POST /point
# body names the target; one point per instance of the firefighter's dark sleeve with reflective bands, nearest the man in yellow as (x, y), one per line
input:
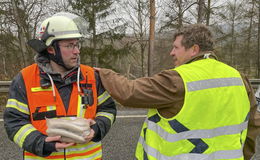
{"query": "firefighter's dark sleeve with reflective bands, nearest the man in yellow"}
(106, 112)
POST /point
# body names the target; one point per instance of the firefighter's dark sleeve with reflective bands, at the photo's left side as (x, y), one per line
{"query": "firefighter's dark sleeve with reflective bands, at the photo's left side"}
(17, 121)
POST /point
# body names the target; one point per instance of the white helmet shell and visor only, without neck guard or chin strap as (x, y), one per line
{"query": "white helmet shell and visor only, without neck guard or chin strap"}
(60, 26)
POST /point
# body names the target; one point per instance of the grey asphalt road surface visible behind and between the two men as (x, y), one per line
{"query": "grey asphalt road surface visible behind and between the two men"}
(119, 143)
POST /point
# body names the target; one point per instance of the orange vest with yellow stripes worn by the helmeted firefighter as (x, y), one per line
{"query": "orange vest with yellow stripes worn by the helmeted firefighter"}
(43, 104)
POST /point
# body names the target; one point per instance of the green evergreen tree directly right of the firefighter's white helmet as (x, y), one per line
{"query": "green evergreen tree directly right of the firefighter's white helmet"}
(105, 31)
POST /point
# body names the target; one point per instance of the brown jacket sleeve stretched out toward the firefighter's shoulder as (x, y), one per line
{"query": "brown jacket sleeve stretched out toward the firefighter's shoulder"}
(162, 90)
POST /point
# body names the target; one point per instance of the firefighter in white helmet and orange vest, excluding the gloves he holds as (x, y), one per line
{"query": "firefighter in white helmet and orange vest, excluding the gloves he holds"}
(58, 86)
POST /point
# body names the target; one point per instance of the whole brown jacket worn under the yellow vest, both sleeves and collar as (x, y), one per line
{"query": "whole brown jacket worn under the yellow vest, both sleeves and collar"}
(165, 92)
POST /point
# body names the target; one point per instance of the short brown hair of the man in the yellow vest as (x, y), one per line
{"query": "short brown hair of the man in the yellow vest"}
(196, 34)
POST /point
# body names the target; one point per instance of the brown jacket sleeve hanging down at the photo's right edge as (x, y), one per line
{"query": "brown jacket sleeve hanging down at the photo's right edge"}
(253, 123)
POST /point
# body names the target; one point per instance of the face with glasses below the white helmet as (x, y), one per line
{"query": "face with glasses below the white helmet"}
(70, 52)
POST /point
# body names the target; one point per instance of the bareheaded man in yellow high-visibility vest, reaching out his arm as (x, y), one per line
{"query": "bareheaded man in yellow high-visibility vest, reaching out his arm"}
(198, 110)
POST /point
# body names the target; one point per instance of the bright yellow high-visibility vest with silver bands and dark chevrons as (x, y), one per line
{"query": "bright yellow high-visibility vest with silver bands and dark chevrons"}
(212, 123)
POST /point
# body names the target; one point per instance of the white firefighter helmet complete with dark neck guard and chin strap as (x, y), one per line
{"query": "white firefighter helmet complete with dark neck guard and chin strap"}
(60, 26)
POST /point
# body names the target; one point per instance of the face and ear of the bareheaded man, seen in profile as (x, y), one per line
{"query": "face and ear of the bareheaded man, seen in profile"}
(179, 53)
